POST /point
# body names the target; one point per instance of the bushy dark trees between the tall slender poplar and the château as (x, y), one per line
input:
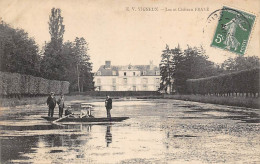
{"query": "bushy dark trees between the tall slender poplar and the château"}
(77, 66)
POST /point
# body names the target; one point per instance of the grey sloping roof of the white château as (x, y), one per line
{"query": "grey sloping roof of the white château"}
(108, 71)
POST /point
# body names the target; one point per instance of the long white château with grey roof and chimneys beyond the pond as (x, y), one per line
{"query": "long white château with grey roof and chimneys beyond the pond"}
(127, 78)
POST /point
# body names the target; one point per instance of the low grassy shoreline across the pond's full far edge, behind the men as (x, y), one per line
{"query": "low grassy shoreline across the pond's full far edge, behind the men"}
(248, 102)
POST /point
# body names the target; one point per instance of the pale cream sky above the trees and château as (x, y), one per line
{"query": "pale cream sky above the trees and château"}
(120, 31)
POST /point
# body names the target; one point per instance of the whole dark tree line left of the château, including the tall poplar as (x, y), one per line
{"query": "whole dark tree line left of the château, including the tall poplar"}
(58, 60)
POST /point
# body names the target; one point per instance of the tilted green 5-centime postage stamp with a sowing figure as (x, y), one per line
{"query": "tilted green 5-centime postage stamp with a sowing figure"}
(233, 30)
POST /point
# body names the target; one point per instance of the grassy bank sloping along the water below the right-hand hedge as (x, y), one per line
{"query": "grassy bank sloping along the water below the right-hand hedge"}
(231, 101)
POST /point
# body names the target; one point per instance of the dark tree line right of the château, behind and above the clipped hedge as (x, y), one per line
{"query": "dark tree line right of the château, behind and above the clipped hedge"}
(177, 66)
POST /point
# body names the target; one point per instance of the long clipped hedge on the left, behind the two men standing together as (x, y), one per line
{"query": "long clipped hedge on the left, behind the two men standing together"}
(21, 84)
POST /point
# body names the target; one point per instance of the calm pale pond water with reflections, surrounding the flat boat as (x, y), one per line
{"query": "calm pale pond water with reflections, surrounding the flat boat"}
(158, 131)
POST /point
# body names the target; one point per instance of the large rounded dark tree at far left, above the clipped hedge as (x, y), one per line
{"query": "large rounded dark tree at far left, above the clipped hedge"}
(18, 52)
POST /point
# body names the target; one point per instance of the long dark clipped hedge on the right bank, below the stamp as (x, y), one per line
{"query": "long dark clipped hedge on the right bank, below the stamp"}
(246, 82)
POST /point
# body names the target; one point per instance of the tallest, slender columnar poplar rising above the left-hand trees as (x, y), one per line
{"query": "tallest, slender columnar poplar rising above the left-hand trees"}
(51, 65)
